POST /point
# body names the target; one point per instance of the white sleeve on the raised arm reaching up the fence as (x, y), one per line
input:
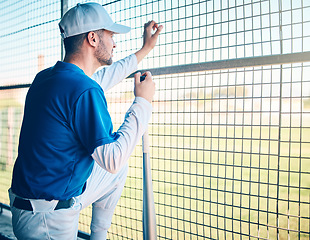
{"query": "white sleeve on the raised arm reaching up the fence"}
(110, 76)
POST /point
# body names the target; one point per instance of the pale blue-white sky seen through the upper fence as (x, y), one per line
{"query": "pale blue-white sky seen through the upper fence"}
(194, 31)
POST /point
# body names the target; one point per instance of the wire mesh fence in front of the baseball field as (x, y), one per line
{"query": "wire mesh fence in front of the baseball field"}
(230, 145)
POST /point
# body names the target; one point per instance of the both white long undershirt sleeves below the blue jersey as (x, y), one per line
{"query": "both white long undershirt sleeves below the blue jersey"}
(112, 157)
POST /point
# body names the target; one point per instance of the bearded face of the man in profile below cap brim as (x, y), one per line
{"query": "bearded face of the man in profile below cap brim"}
(104, 51)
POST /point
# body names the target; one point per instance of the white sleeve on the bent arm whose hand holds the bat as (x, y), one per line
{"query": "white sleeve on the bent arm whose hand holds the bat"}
(112, 157)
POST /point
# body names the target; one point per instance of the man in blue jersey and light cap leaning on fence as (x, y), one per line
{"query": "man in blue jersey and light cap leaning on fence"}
(68, 155)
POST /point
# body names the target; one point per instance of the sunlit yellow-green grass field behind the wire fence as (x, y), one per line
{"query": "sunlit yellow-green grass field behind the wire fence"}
(216, 182)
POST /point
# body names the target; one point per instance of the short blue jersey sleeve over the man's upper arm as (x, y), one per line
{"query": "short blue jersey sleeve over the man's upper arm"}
(91, 120)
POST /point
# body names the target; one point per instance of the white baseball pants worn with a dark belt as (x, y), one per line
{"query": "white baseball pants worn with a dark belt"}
(103, 191)
